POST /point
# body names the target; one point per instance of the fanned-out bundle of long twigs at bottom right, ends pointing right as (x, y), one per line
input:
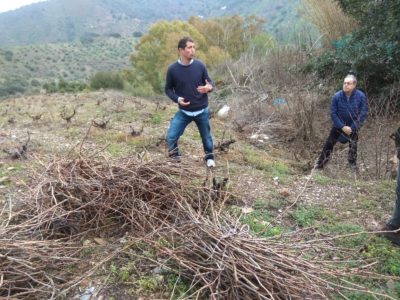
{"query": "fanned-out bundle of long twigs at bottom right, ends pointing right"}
(224, 261)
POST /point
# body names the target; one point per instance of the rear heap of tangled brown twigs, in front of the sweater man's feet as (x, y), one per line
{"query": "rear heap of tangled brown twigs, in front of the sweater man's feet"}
(86, 194)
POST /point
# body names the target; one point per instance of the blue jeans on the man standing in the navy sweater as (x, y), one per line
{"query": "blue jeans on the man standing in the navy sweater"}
(178, 125)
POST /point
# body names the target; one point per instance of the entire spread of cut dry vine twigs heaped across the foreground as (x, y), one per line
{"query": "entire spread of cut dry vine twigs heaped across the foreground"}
(156, 201)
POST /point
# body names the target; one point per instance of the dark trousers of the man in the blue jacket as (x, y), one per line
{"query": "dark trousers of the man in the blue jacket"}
(332, 140)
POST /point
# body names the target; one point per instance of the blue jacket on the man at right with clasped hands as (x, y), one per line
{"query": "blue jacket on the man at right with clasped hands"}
(351, 112)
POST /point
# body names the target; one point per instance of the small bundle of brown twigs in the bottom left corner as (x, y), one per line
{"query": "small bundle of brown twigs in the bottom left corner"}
(33, 269)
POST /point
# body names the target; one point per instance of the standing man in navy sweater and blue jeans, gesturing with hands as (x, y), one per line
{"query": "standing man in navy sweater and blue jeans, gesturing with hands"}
(188, 83)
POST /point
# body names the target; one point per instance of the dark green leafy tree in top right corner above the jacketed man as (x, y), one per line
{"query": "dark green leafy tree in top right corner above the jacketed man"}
(371, 51)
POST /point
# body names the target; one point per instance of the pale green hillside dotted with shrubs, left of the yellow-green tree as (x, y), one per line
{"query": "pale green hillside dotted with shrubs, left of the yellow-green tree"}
(27, 68)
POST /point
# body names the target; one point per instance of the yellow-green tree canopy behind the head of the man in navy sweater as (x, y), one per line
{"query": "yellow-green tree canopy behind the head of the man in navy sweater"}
(216, 40)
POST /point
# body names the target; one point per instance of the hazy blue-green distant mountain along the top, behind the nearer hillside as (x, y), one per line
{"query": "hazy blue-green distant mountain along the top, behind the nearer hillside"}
(56, 21)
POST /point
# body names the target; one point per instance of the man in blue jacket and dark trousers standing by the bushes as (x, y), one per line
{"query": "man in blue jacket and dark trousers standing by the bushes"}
(348, 112)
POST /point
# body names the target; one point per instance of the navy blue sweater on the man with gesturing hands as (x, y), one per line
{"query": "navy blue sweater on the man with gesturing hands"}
(183, 80)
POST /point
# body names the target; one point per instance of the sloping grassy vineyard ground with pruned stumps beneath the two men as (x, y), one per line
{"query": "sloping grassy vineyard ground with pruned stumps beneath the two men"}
(313, 217)
